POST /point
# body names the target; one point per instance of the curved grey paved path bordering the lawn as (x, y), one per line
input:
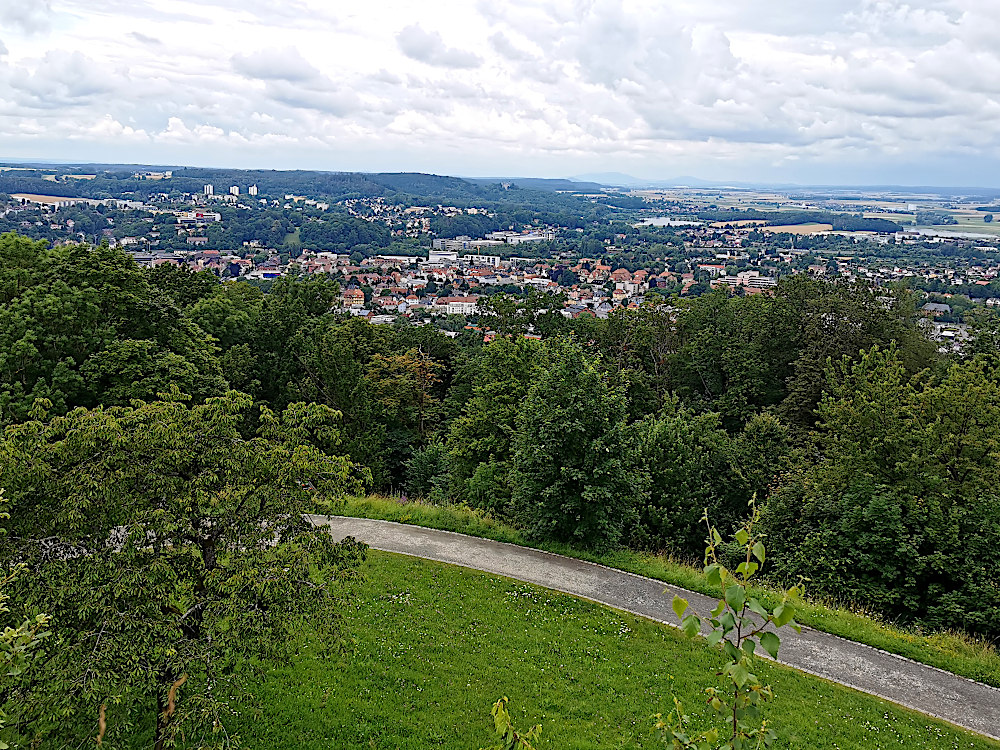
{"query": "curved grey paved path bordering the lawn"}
(926, 689)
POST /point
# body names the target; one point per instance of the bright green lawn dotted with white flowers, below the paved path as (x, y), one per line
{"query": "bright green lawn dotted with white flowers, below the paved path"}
(436, 645)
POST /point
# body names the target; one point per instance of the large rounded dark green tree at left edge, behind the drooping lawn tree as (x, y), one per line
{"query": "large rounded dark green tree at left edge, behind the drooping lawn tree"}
(82, 326)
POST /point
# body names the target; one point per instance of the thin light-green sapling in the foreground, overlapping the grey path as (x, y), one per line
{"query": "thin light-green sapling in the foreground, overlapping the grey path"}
(740, 623)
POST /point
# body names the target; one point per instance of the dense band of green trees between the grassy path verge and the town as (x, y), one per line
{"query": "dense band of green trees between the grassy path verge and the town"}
(872, 456)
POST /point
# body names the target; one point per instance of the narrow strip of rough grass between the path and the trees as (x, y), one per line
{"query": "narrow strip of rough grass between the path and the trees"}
(953, 652)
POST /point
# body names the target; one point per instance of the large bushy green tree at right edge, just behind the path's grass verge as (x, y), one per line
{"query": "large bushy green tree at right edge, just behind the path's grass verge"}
(902, 511)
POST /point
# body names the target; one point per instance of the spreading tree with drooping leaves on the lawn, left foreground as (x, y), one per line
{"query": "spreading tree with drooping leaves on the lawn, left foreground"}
(167, 541)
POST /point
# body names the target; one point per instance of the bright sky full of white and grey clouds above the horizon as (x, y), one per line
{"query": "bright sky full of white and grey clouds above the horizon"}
(838, 91)
